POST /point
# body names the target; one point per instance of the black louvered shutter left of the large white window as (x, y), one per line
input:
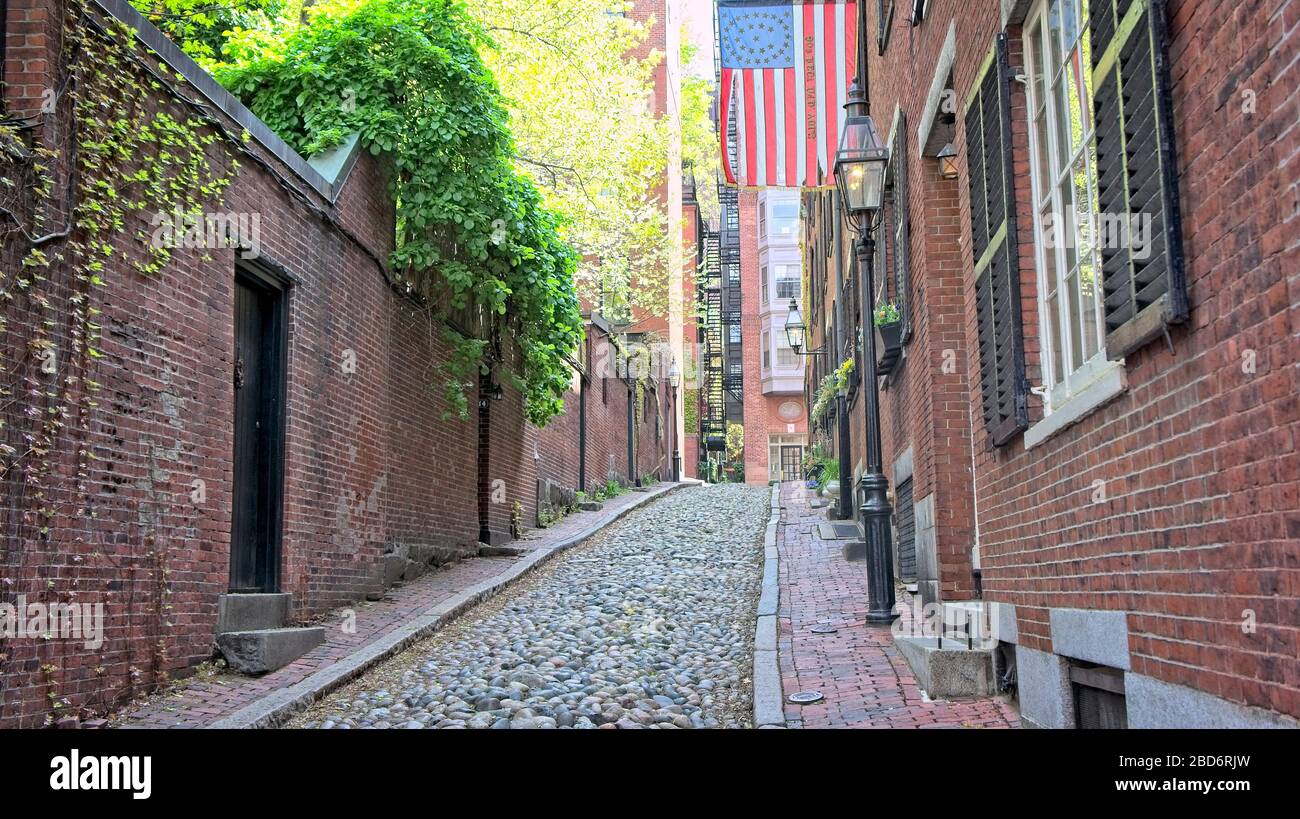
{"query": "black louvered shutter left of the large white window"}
(998, 281)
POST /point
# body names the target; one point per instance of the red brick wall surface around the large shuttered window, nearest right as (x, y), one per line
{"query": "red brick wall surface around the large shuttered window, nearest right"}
(1198, 460)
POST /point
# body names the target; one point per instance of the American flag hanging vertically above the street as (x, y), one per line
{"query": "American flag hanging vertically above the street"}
(786, 72)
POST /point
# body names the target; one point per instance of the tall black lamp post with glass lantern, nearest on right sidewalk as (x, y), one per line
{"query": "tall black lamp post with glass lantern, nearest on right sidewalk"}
(860, 172)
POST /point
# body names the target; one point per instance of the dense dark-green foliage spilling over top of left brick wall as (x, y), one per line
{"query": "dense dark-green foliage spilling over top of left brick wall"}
(474, 235)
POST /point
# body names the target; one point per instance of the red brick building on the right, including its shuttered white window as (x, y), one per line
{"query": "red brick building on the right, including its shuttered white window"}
(1097, 430)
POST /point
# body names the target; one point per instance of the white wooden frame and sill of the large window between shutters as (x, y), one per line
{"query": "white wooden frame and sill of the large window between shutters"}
(1077, 375)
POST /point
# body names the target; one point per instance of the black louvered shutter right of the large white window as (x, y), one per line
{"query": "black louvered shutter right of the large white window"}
(1143, 279)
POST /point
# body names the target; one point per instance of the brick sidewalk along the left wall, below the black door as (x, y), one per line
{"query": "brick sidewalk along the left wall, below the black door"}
(197, 704)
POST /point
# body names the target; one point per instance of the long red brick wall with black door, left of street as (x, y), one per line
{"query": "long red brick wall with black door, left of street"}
(367, 458)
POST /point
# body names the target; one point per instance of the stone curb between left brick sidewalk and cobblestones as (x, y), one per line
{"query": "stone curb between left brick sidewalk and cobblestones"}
(281, 705)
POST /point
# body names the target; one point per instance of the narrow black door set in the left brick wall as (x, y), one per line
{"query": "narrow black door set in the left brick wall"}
(259, 384)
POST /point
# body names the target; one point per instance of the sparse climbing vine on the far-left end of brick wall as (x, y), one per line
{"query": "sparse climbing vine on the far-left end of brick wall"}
(73, 215)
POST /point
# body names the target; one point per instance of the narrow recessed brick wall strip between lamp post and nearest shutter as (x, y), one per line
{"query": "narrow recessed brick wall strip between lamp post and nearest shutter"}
(925, 402)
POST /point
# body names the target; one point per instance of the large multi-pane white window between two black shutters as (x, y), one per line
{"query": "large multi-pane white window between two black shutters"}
(1064, 171)
